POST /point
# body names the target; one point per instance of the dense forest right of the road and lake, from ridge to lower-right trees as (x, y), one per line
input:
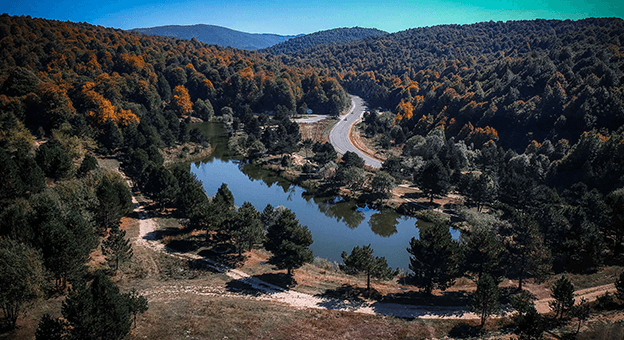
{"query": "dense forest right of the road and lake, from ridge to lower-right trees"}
(524, 117)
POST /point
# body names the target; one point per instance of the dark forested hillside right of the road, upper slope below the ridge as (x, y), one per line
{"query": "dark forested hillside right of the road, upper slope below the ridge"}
(520, 80)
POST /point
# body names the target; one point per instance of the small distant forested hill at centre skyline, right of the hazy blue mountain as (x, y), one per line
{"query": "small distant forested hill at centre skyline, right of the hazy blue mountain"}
(333, 36)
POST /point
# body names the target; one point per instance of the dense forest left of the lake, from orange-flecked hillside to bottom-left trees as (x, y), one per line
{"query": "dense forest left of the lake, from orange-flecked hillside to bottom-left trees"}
(72, 91)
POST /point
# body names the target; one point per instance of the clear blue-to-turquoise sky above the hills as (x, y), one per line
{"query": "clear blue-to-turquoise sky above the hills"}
(306, 16)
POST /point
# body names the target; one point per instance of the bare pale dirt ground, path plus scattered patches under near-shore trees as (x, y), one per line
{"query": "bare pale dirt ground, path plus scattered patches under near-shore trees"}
(265, 291)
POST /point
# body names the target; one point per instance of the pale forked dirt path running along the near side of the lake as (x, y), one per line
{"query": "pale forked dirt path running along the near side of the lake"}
(270, 292)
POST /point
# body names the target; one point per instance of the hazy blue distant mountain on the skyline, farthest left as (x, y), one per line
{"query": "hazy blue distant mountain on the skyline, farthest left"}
(217, 35)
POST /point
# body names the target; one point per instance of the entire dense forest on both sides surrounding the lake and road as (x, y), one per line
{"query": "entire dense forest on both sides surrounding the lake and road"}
(523, 119)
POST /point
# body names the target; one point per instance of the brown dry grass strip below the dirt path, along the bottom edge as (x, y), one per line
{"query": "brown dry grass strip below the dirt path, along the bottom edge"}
(190, 316)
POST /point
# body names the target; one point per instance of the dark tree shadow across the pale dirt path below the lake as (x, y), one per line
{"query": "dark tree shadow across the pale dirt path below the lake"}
(270, 283)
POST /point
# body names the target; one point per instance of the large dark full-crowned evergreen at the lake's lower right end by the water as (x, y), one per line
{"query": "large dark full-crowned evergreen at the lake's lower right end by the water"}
(435, 258)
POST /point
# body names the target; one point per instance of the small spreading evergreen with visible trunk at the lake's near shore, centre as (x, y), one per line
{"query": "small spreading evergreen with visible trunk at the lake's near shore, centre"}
(361, 260)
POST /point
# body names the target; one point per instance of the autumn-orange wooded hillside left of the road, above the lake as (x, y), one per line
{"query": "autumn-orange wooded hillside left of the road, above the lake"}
(120, 89)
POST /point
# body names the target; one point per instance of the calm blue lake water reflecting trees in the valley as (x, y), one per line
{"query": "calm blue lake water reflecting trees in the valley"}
(336, 225)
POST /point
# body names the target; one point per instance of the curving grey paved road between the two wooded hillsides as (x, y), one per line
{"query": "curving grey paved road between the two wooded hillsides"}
(339, 135)
